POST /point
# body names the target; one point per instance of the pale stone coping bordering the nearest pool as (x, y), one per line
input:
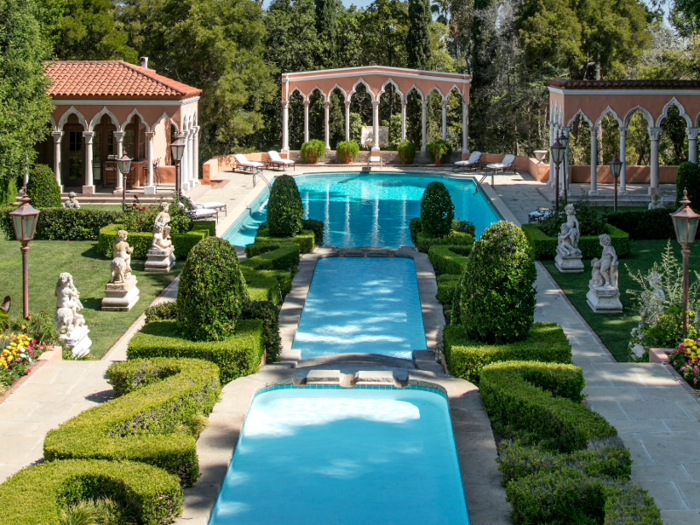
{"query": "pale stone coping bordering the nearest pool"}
(474, 441)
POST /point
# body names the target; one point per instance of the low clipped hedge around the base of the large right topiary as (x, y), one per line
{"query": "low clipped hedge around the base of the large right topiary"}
(546, 342)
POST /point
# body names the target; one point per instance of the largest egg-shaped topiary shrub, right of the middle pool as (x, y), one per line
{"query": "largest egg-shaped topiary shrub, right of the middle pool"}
(497, 297)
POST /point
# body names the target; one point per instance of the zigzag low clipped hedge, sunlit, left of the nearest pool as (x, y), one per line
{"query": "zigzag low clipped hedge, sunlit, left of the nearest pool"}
(161, 396)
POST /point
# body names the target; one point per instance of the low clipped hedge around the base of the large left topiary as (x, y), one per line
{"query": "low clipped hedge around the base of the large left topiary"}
(237, 356)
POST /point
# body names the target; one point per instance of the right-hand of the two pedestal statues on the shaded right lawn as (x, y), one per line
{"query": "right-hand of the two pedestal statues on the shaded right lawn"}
(603, 292)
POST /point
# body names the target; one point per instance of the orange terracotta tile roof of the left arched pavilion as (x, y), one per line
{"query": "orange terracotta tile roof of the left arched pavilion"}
(111, 79)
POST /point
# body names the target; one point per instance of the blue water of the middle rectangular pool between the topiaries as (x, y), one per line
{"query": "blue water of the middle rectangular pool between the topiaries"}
(362, 305)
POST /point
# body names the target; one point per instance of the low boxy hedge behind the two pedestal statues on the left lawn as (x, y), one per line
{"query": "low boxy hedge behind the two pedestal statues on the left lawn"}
(142, 241)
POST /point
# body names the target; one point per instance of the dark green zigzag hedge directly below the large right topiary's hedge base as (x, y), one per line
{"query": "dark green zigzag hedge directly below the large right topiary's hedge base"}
(543, 399)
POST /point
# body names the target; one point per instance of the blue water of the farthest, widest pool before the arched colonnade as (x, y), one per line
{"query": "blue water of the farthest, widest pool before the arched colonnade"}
(363, 209)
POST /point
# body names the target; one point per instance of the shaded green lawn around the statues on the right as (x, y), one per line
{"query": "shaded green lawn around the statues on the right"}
(614, 329)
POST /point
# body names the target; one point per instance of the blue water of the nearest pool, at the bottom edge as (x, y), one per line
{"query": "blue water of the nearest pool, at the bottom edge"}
(344, 456)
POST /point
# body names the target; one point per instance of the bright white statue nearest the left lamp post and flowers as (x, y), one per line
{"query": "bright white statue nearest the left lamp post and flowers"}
(71, 324)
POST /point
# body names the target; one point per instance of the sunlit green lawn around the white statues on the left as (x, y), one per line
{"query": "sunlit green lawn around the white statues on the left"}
(90, 273)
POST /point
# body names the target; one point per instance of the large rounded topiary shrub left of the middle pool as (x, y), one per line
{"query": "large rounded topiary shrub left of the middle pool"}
(211, 291)
